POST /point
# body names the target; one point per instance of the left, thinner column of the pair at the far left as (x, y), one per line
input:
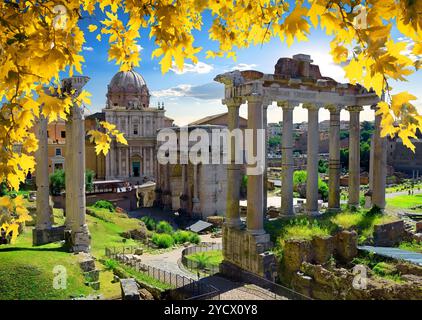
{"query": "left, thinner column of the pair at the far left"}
(44, 219)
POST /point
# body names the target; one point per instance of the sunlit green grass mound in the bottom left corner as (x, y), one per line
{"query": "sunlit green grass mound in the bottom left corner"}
(26, 272)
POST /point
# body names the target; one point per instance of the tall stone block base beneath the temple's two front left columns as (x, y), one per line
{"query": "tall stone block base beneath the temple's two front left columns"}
(243, 251)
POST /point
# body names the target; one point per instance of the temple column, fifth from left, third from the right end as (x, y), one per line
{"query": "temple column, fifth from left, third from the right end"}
(334, 166)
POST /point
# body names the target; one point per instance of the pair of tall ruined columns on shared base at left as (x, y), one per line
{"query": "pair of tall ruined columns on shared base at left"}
(75, 230)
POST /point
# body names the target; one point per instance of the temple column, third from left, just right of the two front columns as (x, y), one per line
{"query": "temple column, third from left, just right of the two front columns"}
(287, 163)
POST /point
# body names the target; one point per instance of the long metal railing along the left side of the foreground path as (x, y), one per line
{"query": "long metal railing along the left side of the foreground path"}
(187, 287)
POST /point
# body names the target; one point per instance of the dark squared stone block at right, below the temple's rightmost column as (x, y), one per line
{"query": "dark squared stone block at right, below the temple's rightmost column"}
(389, 234)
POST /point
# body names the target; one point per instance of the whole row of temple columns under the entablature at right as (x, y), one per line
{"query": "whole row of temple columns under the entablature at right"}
(256, 198)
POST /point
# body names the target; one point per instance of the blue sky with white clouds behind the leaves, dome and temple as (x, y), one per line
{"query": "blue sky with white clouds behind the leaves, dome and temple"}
(193, 94)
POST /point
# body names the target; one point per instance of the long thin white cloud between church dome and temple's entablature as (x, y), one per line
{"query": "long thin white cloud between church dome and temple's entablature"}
(208, 91)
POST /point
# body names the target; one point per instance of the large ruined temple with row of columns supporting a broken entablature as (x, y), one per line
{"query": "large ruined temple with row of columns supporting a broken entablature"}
(295, 81)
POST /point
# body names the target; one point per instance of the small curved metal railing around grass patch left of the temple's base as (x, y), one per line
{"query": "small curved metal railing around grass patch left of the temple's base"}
(201, 267)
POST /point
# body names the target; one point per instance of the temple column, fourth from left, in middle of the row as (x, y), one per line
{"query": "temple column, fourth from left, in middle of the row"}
(312, 159)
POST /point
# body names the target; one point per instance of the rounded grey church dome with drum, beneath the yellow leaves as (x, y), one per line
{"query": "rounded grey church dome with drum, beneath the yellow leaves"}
(128, 89)
